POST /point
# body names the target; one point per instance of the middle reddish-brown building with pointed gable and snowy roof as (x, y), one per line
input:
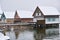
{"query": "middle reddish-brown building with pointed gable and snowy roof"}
(23, 16)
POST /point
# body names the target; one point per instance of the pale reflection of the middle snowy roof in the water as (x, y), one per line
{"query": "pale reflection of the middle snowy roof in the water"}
(26, 35)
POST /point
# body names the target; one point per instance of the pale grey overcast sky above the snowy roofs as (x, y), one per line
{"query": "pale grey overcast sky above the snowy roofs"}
(12, 5)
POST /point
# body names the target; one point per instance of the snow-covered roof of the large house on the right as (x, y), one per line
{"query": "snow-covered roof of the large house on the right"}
(46, 10)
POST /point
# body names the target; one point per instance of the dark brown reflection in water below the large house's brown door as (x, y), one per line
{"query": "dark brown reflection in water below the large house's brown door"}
(39, 34)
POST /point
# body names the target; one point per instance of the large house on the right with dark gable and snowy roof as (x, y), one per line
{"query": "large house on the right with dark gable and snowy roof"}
(49, 14)
